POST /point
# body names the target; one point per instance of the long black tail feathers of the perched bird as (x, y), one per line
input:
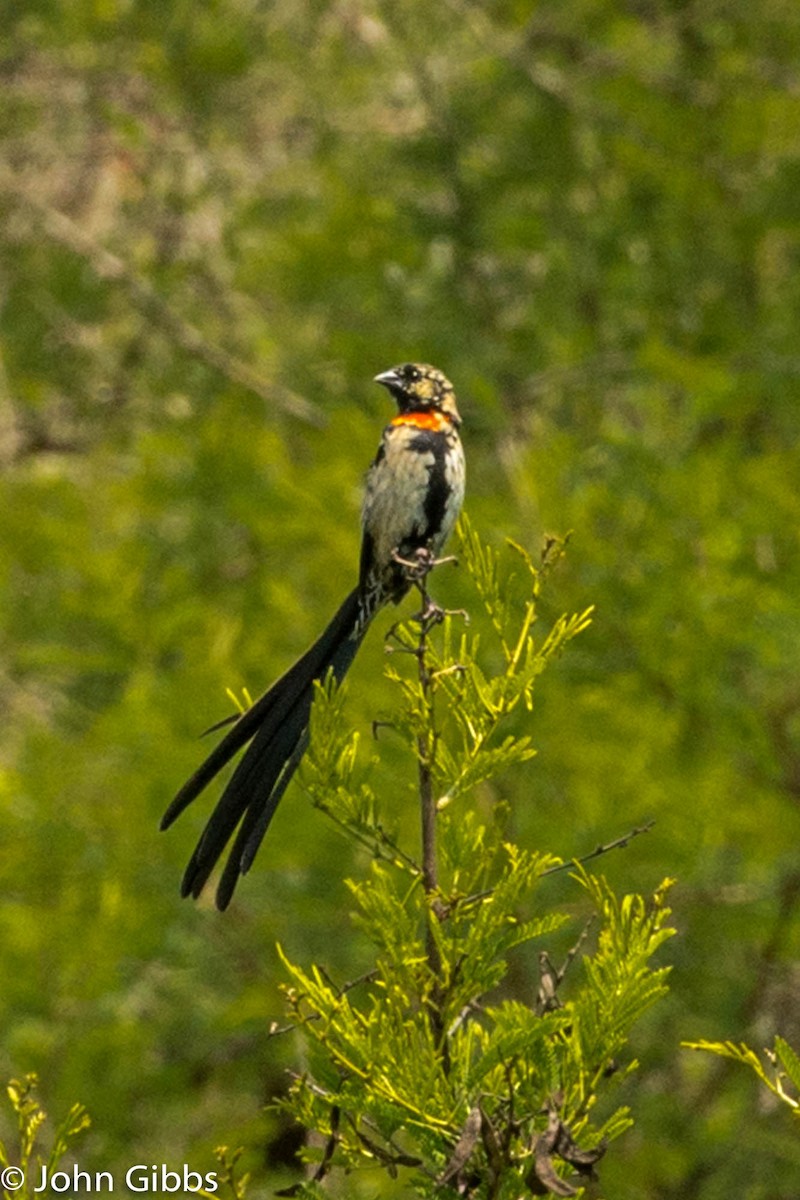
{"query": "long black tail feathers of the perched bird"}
(278, 729)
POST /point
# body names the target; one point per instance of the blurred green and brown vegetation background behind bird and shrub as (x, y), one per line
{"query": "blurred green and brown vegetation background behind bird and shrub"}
(218, 223)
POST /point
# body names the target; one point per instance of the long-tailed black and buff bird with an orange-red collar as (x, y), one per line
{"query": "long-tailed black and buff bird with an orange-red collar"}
(413, 496)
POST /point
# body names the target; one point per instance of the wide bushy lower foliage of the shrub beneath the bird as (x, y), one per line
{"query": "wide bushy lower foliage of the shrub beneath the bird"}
(393, 1093)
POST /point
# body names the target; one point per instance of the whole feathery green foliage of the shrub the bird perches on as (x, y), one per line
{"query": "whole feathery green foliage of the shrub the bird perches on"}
(423, 1064)
